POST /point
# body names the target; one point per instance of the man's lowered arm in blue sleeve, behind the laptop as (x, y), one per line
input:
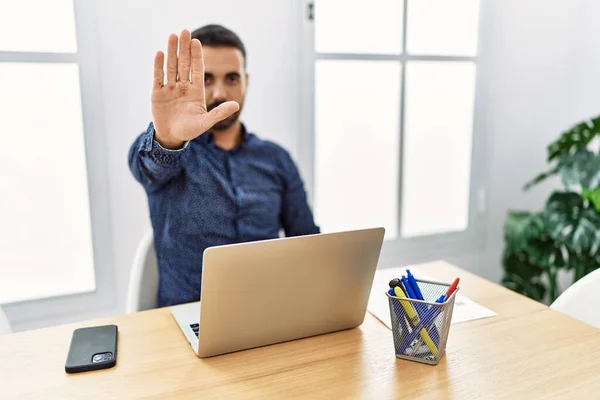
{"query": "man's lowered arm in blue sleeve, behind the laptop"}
(297, 218)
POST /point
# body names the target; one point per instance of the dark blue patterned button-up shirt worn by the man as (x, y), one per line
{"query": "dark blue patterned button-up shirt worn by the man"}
(203, 196)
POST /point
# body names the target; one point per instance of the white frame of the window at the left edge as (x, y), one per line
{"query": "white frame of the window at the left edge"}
(96, 155)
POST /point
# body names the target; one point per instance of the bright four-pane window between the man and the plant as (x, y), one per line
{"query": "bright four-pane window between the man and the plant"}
(390, 105)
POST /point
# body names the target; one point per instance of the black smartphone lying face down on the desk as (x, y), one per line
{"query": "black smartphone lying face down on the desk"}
(92, 348)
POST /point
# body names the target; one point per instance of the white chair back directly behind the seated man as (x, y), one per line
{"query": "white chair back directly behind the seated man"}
(142, 291)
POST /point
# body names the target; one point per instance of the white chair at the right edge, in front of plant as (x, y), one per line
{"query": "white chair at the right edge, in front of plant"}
(580, 300)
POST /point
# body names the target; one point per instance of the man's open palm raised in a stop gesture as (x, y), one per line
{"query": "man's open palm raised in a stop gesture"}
(179, 104)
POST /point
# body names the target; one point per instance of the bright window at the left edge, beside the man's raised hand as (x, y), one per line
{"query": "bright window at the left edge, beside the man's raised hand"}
(46, 220)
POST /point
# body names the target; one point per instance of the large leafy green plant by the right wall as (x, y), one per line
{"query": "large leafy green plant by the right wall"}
(565, 234)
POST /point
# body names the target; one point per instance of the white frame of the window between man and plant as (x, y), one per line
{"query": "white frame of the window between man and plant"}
(402, 250)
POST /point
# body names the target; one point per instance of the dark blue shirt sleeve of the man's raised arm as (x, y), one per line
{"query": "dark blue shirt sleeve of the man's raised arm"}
(151, 164)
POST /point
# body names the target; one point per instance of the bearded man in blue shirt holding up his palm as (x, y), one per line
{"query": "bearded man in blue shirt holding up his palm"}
(209, 181)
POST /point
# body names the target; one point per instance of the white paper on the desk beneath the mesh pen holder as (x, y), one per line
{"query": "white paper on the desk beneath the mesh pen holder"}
(465, 309)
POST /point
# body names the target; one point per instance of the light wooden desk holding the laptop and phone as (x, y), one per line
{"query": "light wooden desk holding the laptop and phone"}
(528, 351)
